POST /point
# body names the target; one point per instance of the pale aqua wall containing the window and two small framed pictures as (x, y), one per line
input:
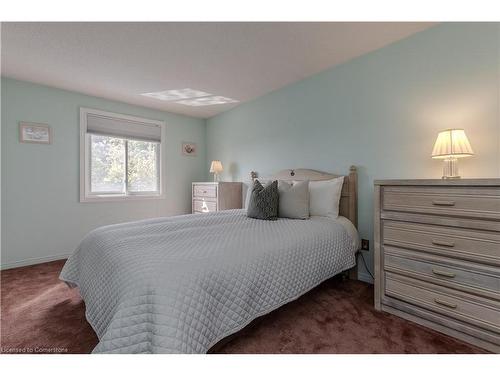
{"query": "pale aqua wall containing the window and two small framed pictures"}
(41, 214)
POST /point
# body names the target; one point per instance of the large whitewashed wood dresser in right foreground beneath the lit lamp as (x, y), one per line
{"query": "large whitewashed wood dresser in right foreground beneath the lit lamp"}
(437, 255)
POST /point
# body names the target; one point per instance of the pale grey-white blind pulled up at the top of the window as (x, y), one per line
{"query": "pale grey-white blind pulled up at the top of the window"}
(123, 128)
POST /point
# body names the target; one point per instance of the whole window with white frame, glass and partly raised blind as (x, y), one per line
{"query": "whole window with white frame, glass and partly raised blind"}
(120, 156)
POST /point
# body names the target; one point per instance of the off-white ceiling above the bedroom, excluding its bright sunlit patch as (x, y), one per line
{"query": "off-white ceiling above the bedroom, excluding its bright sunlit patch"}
(120, 61)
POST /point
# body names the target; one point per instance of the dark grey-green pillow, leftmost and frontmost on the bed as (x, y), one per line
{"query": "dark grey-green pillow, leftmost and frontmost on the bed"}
(263, 202)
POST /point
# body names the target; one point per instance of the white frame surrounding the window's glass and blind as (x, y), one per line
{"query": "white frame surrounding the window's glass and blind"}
(86, 195)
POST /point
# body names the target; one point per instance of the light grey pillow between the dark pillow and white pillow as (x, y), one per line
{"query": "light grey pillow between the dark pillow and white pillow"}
(294, 199)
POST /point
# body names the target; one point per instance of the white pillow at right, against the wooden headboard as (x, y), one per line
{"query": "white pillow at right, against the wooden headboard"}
(324, 197)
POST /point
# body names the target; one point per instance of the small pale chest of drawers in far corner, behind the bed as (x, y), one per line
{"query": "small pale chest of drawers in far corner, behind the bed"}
(215, 196)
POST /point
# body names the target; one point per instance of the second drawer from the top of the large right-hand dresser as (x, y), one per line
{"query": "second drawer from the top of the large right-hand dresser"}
(479, 246)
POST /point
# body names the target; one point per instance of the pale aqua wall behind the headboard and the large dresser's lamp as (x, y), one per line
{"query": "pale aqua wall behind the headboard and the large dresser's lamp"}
(380, 112)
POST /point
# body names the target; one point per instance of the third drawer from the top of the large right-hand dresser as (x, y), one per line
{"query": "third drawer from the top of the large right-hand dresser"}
(465, 276)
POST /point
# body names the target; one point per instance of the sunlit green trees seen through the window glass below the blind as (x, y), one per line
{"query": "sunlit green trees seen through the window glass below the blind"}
(121, 166)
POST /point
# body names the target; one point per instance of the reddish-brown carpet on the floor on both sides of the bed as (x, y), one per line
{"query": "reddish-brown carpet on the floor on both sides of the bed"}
(40, 312)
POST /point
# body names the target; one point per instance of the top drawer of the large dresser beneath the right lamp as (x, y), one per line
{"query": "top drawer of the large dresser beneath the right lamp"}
(481, 202)
